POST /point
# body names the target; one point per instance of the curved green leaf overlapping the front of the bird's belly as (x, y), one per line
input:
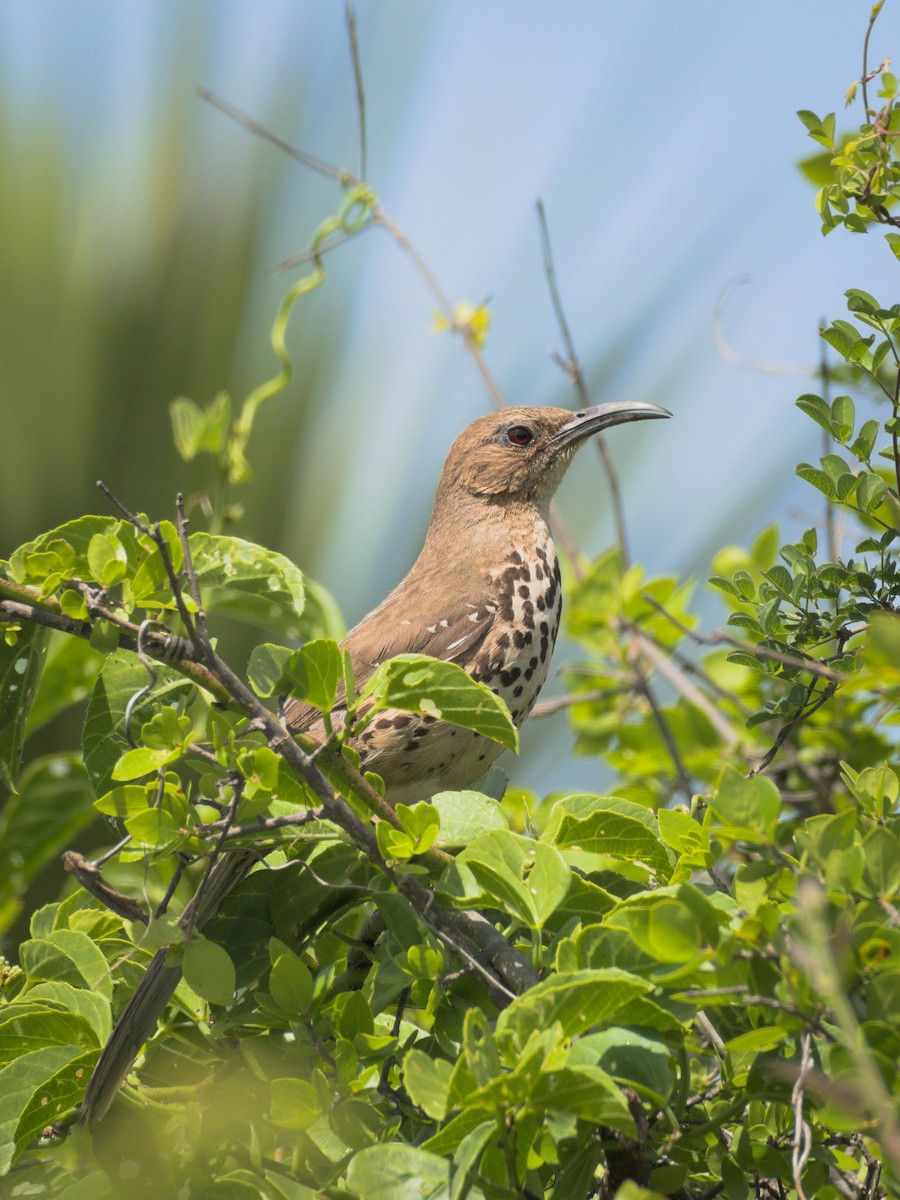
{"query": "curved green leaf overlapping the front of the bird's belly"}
(417, 683)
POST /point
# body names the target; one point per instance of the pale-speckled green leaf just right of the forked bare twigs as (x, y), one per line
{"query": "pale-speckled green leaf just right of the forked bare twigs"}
(249, 583)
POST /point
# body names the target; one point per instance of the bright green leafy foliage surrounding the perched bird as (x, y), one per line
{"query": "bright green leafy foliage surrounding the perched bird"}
(689, 986)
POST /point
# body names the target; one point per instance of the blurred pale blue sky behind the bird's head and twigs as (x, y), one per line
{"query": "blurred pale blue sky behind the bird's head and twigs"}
(662, 137)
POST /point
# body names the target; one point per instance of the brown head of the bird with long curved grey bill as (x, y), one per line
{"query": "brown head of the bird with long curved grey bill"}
(521, 454)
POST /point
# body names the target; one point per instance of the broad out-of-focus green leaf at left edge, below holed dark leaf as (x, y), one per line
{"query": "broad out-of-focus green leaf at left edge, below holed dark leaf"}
(52, 807)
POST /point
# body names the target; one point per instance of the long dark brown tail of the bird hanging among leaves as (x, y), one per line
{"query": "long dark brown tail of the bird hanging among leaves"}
(153, 994)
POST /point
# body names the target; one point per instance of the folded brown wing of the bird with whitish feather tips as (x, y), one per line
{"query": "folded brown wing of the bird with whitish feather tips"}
(388, 632)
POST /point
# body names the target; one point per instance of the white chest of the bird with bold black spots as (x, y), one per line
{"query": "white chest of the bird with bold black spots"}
(515, 657)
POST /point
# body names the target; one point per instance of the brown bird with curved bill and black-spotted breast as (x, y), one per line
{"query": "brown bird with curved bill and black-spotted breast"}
(485, 593)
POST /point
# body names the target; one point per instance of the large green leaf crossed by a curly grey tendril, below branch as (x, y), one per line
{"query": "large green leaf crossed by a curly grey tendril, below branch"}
(104, 740)
